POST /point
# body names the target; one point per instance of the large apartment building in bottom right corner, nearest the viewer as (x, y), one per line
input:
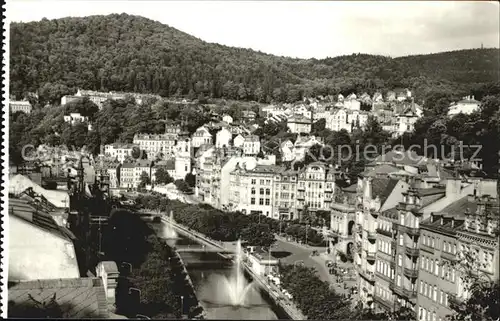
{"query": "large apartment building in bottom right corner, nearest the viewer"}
(457, 245)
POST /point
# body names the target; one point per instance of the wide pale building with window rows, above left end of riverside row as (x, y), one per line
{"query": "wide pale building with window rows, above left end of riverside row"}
(156, 144)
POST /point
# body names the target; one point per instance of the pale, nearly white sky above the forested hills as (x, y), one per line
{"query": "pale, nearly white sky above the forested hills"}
(312, 29)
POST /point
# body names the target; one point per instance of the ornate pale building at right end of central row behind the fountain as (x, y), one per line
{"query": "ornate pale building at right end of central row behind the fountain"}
(315, 187)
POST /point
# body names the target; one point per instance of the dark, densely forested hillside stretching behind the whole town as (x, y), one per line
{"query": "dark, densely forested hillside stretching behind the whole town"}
(131, 53)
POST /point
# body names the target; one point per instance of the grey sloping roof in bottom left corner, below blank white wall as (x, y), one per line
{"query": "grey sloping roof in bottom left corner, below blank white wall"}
(78, 298)
